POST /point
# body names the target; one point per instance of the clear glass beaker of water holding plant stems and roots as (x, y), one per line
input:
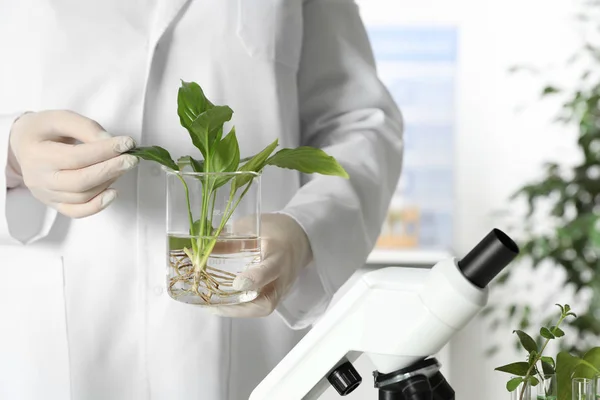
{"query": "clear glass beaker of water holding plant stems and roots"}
(213, 234)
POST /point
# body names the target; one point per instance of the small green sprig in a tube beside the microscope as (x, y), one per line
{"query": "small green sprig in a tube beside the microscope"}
(528, 371)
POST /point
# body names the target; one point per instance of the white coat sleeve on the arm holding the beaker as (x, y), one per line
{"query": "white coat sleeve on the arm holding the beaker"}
(346, 111)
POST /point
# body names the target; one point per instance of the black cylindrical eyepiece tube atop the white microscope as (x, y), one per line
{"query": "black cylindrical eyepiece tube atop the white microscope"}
(488, 258)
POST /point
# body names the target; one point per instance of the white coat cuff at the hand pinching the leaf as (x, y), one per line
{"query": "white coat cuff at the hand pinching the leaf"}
(23, 219)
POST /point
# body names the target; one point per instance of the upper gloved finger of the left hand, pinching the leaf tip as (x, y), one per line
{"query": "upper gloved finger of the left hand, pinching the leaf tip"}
(77, 156)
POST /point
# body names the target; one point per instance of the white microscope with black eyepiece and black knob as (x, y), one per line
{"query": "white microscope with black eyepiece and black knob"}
(398, 317)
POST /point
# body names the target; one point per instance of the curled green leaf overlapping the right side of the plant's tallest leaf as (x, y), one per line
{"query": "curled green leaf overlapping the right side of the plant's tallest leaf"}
(205, 129)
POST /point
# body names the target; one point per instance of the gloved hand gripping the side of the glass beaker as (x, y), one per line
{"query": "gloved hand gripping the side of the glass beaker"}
(286, 251)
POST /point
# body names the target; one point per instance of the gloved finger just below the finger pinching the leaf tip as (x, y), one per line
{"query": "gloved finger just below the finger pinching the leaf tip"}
(84, 179)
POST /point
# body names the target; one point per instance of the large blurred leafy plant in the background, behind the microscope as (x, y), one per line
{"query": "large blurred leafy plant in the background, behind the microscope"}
(566, 198)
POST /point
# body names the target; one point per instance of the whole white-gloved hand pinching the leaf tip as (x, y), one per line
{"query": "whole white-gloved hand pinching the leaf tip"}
(72, 177)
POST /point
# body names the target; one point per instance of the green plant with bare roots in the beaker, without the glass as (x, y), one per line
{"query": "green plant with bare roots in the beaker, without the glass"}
(205, 122)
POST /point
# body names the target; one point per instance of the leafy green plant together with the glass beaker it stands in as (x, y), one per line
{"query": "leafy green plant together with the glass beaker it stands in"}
(213, 201)
